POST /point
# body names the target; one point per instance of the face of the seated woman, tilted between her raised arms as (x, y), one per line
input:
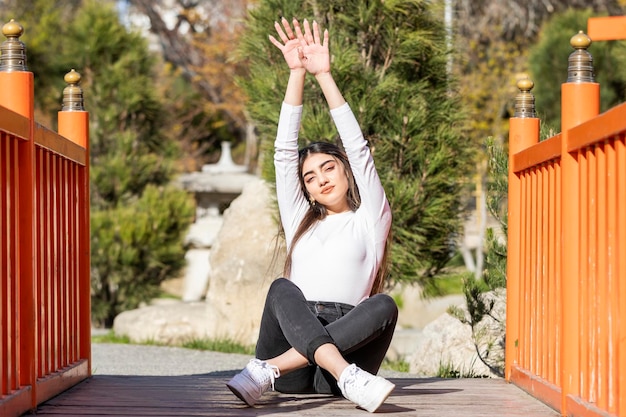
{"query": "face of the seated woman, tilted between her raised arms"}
(326, 181)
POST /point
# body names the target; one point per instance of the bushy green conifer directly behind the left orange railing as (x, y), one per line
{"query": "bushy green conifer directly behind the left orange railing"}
(137, 217)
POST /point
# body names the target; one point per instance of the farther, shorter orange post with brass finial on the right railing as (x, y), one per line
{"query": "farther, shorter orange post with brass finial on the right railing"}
(523, 133)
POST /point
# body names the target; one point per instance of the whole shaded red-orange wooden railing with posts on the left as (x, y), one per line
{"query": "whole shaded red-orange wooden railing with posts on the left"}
(44, 239)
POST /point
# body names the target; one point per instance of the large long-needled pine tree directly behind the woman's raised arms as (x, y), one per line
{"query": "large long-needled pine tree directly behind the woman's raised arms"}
(389, 59)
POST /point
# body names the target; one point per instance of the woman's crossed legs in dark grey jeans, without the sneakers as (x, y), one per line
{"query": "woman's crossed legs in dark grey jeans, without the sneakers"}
(294, 340)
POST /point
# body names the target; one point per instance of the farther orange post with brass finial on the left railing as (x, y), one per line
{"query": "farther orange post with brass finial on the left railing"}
(74, 125)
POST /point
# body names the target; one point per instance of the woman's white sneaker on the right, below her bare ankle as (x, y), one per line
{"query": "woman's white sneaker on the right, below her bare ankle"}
(364, 389)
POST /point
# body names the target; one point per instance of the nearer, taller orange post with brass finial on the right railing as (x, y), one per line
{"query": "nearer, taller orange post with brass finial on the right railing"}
(580, 101)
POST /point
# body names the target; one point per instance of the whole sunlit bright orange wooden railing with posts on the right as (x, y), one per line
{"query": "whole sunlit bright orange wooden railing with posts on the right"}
(566, 272)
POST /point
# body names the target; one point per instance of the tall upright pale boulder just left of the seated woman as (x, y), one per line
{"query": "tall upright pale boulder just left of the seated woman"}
(245, 261)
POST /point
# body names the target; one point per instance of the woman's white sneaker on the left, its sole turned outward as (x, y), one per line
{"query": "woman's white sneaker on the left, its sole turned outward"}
(256, 378)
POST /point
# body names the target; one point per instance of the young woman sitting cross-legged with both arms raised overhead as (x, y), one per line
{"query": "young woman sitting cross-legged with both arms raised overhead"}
(325, 327)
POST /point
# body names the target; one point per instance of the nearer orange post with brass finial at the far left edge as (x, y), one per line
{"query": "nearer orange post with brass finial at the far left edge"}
(17, 94)
